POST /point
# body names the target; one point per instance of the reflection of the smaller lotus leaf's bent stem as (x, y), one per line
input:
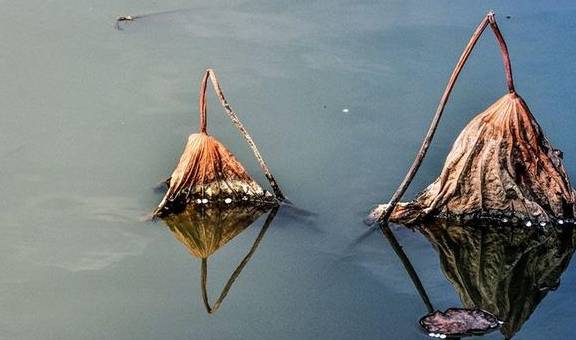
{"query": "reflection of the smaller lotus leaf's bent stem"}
(204, 271)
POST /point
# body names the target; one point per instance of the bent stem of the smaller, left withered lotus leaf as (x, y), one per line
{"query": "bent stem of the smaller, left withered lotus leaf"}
(234, 118)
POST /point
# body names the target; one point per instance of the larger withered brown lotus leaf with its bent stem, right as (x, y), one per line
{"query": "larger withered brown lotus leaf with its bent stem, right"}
(501, 166)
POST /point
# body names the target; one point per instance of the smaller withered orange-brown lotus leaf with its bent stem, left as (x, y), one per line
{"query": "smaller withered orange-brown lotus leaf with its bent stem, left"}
(208, 173)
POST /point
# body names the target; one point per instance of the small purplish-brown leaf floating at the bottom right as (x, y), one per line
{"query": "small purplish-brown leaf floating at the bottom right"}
(459, 322)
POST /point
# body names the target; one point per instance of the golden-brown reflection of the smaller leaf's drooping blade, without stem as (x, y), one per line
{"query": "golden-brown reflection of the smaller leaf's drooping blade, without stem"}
(204, 230)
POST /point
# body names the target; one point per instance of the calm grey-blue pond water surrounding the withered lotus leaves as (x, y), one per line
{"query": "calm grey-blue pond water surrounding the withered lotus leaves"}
(92, 118)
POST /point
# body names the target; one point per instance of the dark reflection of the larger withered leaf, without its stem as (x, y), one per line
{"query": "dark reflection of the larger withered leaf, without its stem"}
(505, 271)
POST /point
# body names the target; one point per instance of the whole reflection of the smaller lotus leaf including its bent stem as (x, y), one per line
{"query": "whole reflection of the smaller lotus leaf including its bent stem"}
(205, 230)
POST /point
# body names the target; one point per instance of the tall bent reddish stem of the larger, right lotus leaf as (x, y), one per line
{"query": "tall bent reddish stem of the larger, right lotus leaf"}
(489, 19)
